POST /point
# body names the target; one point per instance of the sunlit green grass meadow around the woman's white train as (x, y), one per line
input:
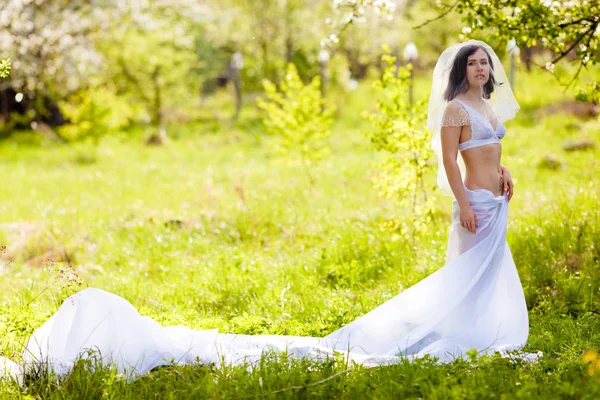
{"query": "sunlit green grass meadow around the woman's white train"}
(215, 231)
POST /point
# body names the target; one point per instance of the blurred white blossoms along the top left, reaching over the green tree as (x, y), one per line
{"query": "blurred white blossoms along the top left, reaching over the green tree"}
(54, 42)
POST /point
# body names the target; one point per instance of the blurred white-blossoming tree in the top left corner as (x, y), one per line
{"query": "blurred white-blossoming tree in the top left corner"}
(51, 47)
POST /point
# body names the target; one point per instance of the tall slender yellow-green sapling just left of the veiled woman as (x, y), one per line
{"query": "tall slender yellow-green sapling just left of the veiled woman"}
(400, 132)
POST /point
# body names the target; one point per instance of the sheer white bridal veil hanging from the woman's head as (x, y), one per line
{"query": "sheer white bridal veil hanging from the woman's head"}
(502, 100)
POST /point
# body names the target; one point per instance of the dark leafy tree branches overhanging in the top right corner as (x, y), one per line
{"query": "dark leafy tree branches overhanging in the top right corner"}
(564, 27)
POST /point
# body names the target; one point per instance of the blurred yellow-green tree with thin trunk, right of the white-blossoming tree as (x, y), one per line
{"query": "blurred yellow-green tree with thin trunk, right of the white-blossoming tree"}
(150, 55)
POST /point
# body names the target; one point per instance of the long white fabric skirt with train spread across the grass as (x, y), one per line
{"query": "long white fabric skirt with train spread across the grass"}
(474, 301)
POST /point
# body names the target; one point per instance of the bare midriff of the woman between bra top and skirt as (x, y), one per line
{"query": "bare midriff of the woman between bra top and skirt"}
(483, 167)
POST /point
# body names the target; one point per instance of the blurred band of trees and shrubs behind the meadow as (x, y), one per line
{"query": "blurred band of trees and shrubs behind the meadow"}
(85, 69)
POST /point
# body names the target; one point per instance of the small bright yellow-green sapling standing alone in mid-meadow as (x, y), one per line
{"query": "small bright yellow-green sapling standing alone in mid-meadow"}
(298, 116)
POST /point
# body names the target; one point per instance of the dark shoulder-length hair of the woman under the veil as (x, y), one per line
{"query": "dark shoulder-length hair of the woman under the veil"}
(458, 83)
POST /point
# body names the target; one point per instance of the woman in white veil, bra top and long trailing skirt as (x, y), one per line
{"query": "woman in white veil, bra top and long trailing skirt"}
(474, 301)
